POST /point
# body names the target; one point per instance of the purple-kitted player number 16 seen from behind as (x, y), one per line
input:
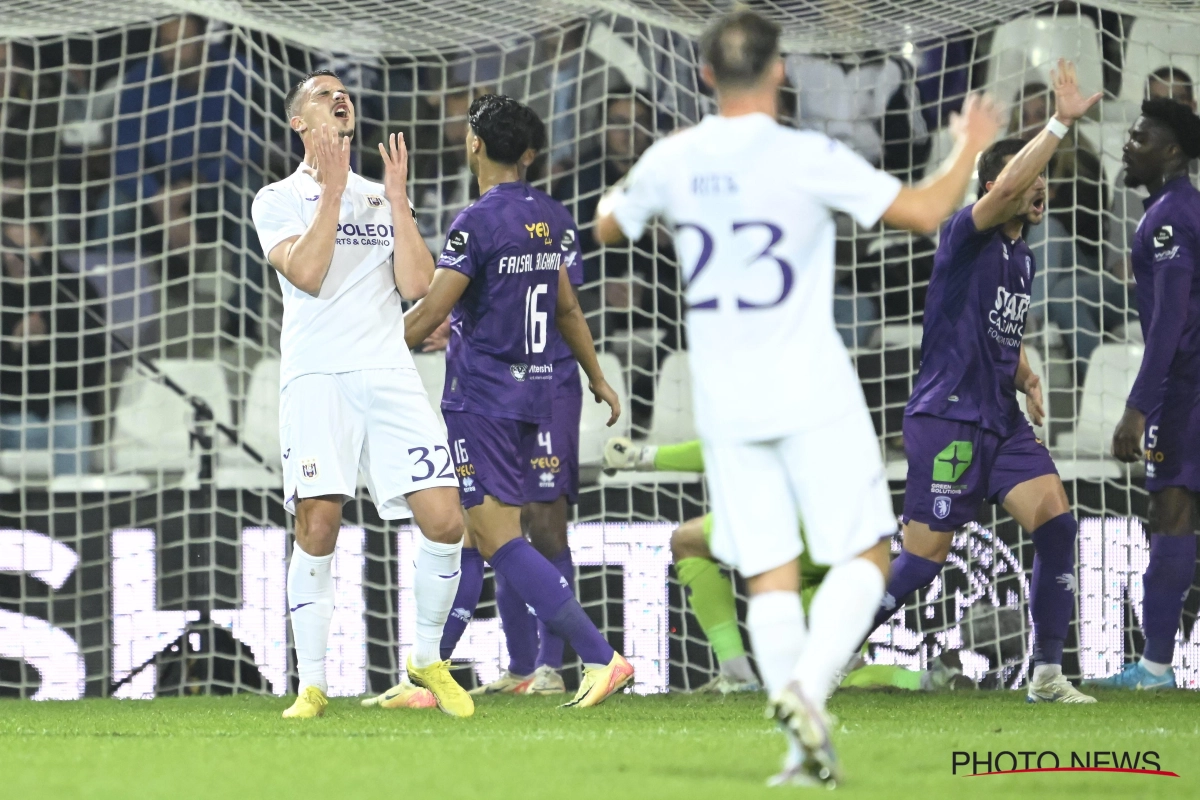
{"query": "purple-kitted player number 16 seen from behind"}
(501, 274)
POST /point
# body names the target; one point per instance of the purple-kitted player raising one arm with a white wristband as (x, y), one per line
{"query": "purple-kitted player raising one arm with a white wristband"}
(965, 437)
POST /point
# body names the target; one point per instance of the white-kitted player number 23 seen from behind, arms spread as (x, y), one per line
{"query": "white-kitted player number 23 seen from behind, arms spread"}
(782, 416)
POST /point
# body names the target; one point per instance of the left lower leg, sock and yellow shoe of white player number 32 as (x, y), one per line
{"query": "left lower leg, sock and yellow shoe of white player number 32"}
(311, 599)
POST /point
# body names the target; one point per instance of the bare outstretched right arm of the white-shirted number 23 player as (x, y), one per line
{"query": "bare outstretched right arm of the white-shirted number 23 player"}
(926, 207)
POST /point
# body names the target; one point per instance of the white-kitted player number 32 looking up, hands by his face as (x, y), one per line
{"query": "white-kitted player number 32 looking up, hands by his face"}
(347, 250)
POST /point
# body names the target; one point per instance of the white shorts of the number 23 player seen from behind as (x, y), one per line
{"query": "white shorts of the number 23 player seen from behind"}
(831, 478)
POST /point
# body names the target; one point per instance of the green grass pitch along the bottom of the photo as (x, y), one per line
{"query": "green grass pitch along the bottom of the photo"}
(893, 745)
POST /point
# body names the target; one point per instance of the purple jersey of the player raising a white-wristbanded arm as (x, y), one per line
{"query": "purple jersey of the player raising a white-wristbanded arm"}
(975, 321)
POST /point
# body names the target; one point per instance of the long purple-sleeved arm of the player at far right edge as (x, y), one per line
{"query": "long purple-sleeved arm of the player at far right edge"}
(1173, 284)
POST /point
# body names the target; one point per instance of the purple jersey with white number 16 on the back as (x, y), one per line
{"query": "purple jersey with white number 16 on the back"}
(512, 244)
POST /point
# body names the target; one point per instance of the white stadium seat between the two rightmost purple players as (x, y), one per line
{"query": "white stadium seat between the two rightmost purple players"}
(1111, 376)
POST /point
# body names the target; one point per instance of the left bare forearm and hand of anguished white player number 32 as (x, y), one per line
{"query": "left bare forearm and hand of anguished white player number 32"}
(304, 261)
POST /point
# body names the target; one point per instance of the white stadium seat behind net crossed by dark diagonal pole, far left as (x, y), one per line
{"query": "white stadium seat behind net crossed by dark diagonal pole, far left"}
(153, 425)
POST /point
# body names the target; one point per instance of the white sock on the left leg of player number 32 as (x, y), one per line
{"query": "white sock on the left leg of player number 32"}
(311, 603)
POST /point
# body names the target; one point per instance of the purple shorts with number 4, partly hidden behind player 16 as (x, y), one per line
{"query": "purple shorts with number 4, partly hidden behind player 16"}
(554, 464)
